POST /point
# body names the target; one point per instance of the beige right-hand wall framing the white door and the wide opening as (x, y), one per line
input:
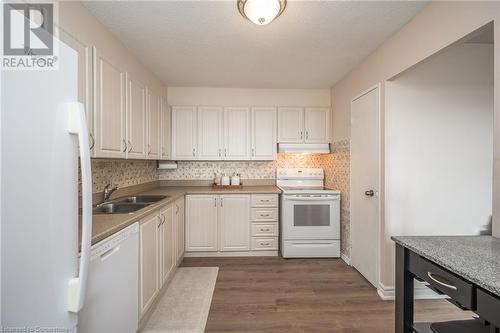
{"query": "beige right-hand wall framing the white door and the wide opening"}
(436, 27)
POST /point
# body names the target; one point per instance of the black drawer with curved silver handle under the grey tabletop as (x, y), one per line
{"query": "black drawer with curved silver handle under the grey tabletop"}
(443, 281)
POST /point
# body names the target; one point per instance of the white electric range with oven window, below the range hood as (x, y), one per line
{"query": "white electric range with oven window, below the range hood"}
(310, 214)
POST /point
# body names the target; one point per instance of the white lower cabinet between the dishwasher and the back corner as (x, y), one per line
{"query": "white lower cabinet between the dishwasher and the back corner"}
(160, 234)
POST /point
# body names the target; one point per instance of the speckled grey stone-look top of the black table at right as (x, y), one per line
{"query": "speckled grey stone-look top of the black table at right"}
(475, 258)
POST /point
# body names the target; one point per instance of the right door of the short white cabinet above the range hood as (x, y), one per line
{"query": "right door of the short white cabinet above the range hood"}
(317, 125)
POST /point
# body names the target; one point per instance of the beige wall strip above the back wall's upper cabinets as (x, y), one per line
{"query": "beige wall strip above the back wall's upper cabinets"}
(248, 97)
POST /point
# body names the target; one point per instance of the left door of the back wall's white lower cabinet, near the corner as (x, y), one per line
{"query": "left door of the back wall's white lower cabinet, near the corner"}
(201, 222)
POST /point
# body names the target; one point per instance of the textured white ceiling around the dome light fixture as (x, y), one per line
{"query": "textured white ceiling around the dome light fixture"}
(207, 43)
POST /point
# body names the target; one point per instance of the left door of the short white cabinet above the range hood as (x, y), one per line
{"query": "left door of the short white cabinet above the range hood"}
(290, 125)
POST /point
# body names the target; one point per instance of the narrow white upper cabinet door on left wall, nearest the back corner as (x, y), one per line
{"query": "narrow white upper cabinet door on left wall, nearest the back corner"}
(154, 109)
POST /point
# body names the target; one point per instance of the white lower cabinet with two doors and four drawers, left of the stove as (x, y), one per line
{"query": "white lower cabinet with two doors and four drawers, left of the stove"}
(228, 225)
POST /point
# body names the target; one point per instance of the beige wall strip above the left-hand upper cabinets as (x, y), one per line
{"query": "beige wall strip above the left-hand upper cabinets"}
(77, 21)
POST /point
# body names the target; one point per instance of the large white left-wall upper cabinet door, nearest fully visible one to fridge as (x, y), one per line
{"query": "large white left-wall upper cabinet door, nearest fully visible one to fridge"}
(109, 108)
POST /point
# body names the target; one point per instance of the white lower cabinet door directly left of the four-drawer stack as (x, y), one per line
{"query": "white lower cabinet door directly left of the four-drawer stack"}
(235, 222)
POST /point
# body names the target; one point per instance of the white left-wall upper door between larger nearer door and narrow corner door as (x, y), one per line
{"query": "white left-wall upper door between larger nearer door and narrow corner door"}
(136, 118)
